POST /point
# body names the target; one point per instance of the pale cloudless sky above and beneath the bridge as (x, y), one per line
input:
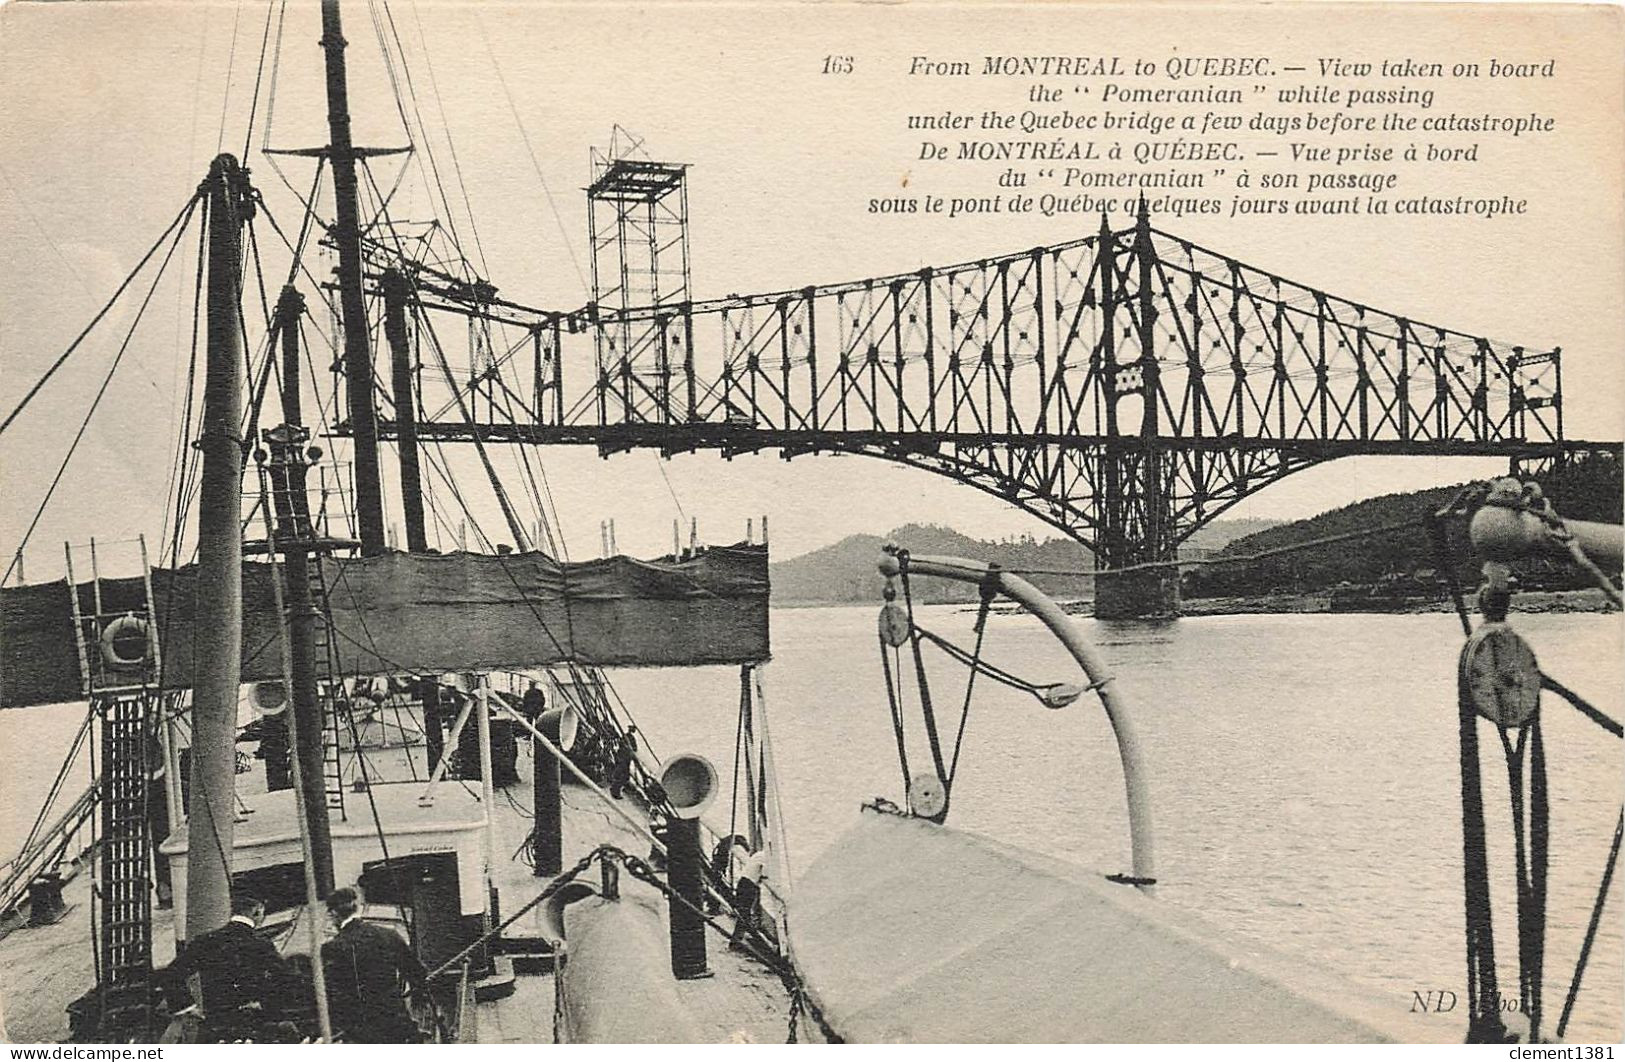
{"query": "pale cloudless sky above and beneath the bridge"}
(111, 113)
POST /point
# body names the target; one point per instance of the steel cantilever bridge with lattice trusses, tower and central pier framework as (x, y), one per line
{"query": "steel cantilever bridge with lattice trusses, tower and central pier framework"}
(1127, 387)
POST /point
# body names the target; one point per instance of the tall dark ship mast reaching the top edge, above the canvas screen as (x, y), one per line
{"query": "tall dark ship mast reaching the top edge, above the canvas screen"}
(352, 300)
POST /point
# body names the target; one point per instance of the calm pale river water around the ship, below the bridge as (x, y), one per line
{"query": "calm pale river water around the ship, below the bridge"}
(1304, 772)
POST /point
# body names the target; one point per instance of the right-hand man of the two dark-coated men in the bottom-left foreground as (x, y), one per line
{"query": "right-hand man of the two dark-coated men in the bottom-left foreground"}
(368, 972)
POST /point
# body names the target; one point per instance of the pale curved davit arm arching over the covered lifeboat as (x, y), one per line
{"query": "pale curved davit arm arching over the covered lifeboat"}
(1088, 657)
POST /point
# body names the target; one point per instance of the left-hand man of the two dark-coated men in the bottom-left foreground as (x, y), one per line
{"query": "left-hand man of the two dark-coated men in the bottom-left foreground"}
(238, 973)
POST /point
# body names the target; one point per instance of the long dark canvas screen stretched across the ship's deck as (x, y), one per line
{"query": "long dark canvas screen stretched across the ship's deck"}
(428, 613)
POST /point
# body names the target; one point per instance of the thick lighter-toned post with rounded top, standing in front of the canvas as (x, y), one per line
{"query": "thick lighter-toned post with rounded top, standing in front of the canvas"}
(220, 564)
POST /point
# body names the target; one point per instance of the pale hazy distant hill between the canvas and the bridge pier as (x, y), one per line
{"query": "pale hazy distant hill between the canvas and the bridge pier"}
(844, 572)
